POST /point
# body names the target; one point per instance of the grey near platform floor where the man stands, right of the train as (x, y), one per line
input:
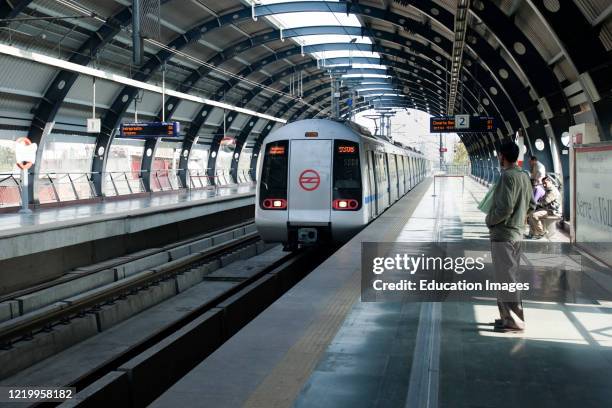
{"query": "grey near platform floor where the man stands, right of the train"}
(320, 346)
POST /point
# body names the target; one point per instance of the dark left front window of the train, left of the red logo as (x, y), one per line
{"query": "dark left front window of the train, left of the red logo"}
(274, 174)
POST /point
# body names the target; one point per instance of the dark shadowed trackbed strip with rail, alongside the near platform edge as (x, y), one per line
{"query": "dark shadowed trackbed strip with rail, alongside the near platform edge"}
(247, 299)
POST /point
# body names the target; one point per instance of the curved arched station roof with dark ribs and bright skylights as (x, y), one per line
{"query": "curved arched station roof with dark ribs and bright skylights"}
(539, 66)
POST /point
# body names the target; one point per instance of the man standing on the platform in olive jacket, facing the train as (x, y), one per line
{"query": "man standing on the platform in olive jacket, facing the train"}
(512, 199)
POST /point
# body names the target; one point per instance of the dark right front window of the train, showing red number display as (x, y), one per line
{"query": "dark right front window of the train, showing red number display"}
(347, 172)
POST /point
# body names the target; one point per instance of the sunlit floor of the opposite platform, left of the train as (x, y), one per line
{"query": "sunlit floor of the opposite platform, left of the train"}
(81, 212)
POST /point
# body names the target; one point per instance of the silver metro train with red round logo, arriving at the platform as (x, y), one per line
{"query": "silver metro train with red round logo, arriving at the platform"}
(322, 180)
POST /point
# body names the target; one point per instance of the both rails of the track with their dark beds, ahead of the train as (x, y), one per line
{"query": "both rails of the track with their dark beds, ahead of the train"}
(250, 296)
